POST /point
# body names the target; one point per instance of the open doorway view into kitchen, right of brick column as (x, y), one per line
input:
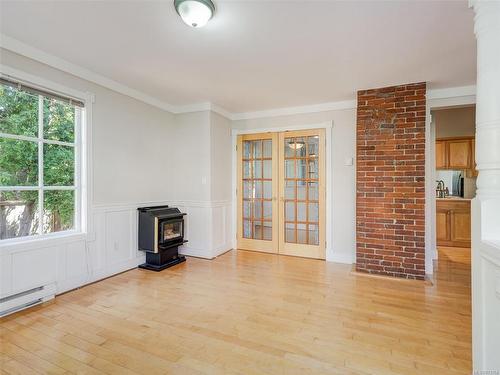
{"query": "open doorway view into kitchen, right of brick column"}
(455, 181)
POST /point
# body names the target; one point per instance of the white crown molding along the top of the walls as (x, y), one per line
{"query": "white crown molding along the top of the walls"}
(34, 53)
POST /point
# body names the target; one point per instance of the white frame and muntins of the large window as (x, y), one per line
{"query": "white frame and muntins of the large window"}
(82, 184)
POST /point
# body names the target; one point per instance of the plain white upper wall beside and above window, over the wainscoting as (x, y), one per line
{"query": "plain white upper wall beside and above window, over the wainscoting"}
(128, 136)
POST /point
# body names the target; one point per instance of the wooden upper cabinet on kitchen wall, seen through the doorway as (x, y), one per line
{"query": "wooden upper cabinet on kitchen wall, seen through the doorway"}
(455, 153)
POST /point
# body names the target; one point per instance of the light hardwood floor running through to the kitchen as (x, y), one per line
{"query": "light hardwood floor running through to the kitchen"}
(250, 313)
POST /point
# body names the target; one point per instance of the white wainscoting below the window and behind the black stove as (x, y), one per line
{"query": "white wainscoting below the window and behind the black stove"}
(110, 247)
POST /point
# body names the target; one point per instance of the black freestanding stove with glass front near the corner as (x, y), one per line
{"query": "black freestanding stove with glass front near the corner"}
(161, 232)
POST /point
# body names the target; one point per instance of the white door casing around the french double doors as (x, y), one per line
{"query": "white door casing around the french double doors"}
(329, 202)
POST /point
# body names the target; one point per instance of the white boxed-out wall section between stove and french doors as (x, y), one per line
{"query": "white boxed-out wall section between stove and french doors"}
(202, 180)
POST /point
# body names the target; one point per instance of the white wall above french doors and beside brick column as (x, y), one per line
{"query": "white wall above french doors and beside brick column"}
(342, 246)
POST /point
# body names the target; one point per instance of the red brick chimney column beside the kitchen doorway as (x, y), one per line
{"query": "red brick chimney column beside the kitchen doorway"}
(390, 212)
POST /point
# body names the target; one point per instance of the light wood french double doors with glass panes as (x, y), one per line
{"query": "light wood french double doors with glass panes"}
(281, 193)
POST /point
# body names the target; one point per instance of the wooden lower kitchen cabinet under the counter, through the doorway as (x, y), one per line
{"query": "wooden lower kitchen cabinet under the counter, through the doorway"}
(453, 223)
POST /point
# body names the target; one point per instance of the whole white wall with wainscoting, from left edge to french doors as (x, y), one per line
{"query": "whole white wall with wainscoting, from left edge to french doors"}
(141, 155)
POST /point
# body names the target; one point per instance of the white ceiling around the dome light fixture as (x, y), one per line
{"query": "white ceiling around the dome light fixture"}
(255, 55)
